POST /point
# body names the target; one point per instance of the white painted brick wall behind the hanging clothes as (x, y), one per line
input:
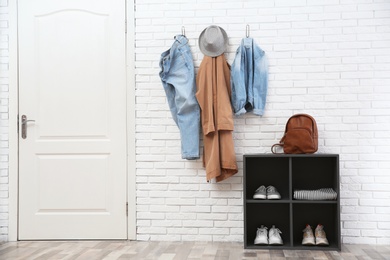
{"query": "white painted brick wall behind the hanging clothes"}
(330, 59)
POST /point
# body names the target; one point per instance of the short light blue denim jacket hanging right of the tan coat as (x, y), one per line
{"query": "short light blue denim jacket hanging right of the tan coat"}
(249, 78)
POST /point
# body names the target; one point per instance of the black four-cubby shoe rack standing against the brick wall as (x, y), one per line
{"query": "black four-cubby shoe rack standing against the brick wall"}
(287, 172)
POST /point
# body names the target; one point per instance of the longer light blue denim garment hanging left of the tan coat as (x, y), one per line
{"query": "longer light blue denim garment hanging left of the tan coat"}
(178, 78)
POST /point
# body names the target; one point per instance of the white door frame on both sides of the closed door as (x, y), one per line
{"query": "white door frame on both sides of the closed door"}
(13, 168)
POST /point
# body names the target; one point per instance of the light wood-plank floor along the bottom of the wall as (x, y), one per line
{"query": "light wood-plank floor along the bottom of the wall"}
(96, 250)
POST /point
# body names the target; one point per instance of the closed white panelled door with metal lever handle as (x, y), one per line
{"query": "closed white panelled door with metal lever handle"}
(72, 82)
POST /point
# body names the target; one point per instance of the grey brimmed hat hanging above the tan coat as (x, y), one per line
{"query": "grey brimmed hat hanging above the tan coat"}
(213, 41)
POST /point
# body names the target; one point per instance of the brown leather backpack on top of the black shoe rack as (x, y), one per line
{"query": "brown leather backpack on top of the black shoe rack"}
(300, 136)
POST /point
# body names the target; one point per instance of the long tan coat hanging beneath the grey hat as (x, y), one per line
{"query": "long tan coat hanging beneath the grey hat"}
(213, 95)
